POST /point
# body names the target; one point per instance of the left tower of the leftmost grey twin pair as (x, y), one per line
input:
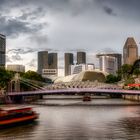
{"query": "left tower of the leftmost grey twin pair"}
(42, 61)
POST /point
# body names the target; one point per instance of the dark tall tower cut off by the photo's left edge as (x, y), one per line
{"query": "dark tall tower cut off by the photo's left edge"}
(2, 50)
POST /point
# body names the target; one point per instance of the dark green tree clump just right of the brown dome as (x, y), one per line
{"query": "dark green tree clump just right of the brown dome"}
(112, 78)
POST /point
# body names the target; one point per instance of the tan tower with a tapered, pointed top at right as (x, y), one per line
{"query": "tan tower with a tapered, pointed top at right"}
(130, 51)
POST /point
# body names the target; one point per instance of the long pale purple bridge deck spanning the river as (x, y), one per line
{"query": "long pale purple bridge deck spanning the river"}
(76, 90)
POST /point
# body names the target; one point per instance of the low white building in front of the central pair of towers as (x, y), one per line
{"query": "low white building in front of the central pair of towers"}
(75, 69)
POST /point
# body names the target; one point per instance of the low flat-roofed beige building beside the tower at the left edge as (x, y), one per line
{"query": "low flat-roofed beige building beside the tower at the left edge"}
(16, 68)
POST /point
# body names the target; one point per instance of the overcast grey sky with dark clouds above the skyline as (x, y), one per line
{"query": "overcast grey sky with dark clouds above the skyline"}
(61, 26)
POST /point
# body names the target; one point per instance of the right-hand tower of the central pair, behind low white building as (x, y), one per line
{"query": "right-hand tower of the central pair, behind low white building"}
(81, 58)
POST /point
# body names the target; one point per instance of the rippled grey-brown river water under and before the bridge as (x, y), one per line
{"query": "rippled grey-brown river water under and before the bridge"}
(72, 119)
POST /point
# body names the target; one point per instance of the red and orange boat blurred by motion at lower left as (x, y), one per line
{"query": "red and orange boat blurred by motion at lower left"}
(16, 115)
